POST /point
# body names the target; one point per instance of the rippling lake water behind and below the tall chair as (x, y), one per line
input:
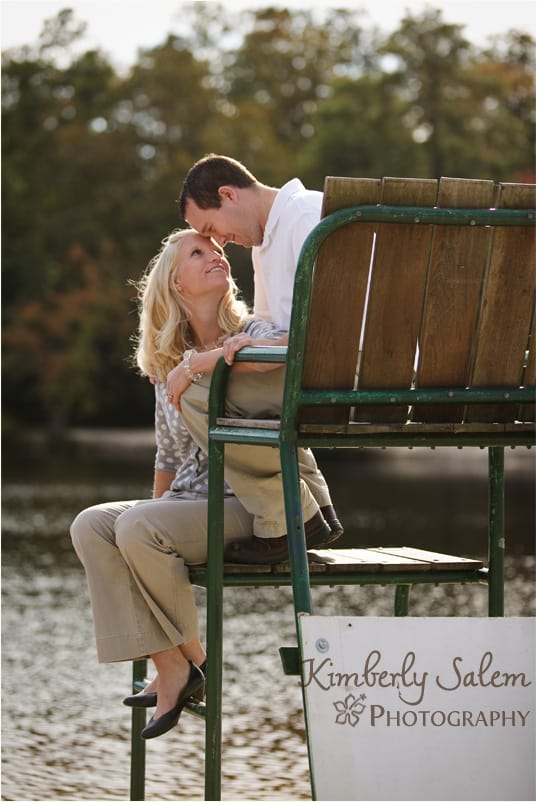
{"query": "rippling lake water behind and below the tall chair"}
(66, 735)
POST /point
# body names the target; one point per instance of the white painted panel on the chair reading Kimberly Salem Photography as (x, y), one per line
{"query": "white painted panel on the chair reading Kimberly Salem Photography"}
(420, 708)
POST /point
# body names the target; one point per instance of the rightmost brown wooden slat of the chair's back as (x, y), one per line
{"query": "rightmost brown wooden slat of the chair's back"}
(504, 326)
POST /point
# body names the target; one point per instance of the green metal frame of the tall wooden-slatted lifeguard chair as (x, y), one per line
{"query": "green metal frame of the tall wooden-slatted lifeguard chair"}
(288, 438)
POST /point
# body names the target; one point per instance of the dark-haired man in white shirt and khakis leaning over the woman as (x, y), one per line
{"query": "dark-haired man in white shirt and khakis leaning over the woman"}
(221, 199)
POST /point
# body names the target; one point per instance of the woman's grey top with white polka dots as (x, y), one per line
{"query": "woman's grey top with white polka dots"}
(176, 450)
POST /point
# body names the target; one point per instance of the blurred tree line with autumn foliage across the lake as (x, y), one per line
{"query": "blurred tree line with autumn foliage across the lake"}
(93, 160)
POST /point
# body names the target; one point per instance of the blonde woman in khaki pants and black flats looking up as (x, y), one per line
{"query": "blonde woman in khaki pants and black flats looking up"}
(135, 553)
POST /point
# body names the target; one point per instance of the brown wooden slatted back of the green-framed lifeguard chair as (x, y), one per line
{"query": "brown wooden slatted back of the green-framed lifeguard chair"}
(405, 306)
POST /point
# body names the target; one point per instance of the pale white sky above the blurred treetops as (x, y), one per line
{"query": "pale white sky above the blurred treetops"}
(120, 27)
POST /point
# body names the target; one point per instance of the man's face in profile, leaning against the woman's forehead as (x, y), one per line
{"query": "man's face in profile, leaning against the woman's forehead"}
(235, 220)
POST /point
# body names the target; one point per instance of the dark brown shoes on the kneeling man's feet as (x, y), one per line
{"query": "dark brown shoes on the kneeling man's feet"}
(272, 550)
